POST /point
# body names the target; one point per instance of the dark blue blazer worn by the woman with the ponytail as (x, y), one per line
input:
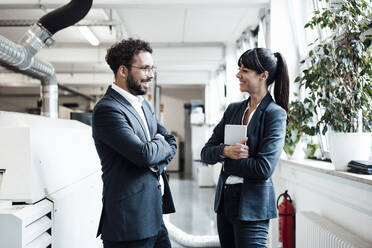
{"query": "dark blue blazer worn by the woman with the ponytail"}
(266, 133)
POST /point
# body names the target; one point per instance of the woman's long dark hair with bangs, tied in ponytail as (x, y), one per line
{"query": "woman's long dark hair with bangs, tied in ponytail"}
(261, 60)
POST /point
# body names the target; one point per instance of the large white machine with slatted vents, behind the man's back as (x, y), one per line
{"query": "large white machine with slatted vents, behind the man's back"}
(50, 185)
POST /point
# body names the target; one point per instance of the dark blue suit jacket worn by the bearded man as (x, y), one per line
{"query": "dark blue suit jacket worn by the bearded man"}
(132, 201)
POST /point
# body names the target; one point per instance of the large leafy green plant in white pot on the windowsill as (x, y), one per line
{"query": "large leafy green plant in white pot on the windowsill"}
(338, 80)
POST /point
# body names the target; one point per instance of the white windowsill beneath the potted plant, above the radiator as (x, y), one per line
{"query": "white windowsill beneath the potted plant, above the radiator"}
(328, 168)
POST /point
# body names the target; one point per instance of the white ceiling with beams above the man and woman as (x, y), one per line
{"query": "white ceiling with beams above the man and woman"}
(188, 36)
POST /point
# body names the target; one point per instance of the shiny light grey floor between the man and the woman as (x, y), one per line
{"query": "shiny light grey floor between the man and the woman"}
(194, 207)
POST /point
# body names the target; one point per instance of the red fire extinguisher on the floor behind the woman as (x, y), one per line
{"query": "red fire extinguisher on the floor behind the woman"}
(286, 221)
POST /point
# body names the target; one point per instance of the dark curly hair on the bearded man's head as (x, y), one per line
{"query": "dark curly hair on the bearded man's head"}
(121, 53)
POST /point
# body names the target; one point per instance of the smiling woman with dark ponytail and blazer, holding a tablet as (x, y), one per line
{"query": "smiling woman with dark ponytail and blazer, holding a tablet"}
(245, 197)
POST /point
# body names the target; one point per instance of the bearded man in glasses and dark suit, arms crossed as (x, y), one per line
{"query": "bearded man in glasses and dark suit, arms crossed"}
(134, 148)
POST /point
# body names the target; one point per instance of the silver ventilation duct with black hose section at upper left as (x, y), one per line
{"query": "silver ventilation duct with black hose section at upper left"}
(20, 58)
